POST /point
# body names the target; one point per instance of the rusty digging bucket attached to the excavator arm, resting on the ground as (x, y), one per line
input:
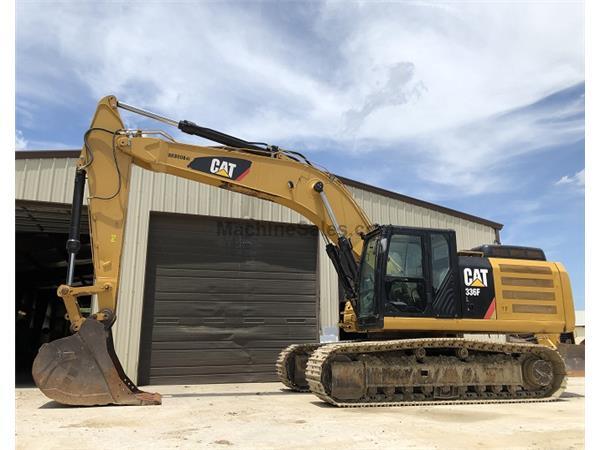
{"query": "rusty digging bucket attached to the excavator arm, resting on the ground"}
(83, 370)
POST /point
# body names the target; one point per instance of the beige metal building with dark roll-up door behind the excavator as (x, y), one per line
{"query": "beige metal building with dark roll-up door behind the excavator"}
(202, 268)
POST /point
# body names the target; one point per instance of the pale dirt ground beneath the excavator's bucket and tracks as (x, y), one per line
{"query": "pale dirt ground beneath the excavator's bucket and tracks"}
(266, 416)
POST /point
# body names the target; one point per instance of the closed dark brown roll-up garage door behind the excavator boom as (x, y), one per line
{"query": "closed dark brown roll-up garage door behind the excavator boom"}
(223, 297)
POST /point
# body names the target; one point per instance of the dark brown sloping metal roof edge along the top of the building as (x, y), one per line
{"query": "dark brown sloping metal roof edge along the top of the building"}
(33, 154)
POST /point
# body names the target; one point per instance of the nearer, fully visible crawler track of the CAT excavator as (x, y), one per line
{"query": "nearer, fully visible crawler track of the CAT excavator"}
(510, 366)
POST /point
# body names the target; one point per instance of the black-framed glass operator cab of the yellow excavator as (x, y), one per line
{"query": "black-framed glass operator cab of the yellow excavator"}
(408, 272)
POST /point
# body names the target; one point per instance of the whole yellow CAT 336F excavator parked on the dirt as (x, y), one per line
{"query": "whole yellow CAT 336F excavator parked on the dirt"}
(411, 296)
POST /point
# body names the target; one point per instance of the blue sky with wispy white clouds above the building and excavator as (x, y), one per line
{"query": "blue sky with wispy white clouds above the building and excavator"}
(475, 106)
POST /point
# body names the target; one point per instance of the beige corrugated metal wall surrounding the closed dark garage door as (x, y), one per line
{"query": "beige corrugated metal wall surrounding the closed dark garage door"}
(51, 179)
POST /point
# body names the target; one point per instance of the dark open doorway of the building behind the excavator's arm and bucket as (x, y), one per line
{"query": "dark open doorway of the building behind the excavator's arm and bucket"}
(40, 267)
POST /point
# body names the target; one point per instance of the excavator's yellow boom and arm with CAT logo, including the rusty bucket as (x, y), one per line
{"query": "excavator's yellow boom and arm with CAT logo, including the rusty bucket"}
(83, 369)
